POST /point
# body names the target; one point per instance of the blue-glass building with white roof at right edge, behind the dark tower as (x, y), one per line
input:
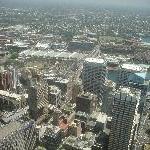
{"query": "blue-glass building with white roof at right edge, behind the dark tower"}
(135, 76)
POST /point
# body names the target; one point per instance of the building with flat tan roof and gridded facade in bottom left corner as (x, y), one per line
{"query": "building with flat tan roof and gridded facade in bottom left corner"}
(18, 135)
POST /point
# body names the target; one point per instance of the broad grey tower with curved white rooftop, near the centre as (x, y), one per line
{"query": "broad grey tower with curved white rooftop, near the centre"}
(93, 76)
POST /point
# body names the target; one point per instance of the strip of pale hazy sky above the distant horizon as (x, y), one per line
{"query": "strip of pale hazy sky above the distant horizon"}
(127, 3)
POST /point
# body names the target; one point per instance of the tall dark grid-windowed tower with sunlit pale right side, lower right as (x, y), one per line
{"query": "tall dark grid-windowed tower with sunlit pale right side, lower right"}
(125, 119)
